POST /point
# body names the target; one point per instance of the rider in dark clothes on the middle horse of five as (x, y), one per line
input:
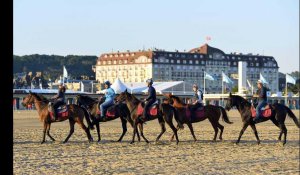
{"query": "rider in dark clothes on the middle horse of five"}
(150, 99)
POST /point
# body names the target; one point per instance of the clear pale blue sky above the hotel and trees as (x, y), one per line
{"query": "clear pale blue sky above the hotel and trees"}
(93, 27)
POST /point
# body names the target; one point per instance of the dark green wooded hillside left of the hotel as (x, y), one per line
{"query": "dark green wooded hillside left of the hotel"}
(52, 65)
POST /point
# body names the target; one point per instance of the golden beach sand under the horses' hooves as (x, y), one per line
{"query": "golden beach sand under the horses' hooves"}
(189, 157)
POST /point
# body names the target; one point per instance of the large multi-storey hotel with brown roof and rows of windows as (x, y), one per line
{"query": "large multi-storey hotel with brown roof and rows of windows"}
(186, 66)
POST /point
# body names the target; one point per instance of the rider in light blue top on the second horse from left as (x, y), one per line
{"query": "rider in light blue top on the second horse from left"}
(109, 98)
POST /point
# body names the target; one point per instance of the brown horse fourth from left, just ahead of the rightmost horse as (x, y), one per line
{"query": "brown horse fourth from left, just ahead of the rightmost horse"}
(210, 112)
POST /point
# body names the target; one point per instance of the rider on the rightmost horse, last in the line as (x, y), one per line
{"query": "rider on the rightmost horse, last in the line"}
(262, 101)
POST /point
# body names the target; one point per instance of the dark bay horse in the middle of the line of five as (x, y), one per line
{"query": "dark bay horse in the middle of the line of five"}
(135, 107)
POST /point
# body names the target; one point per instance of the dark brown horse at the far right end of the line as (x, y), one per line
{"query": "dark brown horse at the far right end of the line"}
(277, 114)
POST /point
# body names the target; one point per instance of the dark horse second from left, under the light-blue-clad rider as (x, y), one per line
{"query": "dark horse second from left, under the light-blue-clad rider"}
(91, 106)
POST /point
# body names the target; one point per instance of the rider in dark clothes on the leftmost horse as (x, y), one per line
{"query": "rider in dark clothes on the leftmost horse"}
(59, 99)
